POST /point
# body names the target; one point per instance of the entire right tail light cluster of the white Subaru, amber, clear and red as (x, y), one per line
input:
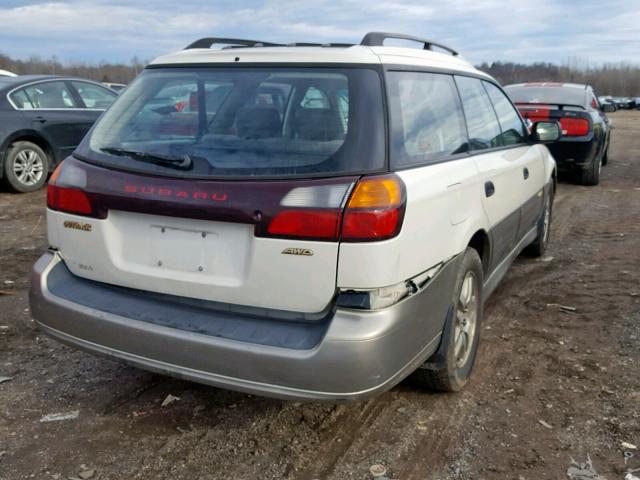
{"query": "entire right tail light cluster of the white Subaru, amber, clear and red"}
(373, 212)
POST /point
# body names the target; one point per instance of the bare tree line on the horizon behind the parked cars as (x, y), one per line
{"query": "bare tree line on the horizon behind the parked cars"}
(620, 79)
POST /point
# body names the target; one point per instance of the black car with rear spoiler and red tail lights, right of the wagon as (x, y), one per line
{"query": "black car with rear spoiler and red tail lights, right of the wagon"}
(586, 130)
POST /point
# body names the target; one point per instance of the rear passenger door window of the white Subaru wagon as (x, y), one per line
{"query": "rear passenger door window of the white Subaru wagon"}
(483, 126)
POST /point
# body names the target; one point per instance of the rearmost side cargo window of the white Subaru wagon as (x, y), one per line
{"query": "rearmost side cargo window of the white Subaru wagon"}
(427, 123)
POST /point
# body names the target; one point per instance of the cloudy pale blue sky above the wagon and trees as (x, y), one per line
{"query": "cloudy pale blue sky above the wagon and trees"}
(93, 31)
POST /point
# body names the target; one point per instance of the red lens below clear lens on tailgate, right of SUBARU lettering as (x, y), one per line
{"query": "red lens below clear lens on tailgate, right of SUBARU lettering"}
(308, 224)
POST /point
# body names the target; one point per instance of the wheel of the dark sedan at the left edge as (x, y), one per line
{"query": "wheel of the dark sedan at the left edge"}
(26, 167)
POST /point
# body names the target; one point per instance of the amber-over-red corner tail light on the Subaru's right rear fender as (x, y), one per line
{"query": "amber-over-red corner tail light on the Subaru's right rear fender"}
(375, 210)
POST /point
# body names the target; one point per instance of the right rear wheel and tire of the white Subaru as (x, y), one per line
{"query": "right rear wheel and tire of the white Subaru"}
(463, 327)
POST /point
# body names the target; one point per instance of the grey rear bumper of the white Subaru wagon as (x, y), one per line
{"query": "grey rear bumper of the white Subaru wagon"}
(360, 354)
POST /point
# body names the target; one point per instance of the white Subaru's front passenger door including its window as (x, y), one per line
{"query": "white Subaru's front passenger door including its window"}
(529, 158)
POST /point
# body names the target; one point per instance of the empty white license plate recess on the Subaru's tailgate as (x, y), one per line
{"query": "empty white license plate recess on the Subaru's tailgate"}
(184, 250)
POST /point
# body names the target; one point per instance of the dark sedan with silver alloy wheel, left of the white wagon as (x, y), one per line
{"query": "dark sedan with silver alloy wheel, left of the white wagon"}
(42, 120)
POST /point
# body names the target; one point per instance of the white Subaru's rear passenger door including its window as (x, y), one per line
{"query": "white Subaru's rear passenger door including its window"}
(500, 169)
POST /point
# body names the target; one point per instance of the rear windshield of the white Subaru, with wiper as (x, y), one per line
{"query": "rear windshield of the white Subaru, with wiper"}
(244, 122)
